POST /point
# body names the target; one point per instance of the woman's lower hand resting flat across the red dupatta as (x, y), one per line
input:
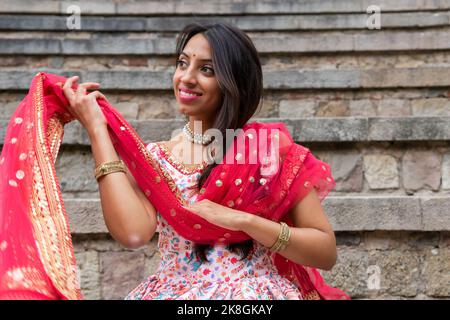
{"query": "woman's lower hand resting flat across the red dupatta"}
(217, 214)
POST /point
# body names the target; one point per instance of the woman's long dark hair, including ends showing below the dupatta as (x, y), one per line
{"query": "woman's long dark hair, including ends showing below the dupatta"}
(239, 75)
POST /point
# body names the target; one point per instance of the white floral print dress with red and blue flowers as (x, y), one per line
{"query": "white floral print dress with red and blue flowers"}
(181, 275)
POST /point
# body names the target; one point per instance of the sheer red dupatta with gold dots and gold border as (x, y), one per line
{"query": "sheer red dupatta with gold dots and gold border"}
(36, 252)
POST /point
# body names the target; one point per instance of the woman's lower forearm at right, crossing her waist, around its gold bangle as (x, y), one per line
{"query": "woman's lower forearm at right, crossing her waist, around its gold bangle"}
(309, 247)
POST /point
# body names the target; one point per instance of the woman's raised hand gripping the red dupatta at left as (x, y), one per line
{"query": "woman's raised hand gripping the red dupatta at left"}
(83, 105)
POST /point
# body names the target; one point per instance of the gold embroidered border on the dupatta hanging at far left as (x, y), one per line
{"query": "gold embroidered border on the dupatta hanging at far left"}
(48, 216)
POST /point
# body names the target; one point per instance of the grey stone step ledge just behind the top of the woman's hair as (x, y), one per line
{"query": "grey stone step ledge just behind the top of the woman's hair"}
(340, 21)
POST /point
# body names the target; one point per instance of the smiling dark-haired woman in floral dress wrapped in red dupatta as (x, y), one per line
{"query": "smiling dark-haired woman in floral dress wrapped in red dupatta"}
(226, 230)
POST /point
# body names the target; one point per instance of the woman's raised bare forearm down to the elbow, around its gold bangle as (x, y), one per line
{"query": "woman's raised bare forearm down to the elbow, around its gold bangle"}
(124, 214)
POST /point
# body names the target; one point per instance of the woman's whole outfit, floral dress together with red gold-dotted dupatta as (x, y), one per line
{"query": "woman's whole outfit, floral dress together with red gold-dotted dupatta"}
(36, 251)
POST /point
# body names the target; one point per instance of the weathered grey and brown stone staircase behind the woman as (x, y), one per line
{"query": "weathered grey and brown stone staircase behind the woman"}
(374, 104)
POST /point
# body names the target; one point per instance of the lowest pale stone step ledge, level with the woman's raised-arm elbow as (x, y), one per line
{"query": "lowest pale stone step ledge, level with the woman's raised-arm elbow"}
(346, 213)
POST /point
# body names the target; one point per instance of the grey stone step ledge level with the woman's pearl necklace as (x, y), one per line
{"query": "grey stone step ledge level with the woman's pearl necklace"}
(311, 130)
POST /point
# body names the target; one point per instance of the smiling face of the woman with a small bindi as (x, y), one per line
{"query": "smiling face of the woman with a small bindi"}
(195, 84)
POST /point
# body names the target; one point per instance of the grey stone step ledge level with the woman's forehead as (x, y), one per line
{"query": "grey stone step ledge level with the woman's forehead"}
(36, 43)
